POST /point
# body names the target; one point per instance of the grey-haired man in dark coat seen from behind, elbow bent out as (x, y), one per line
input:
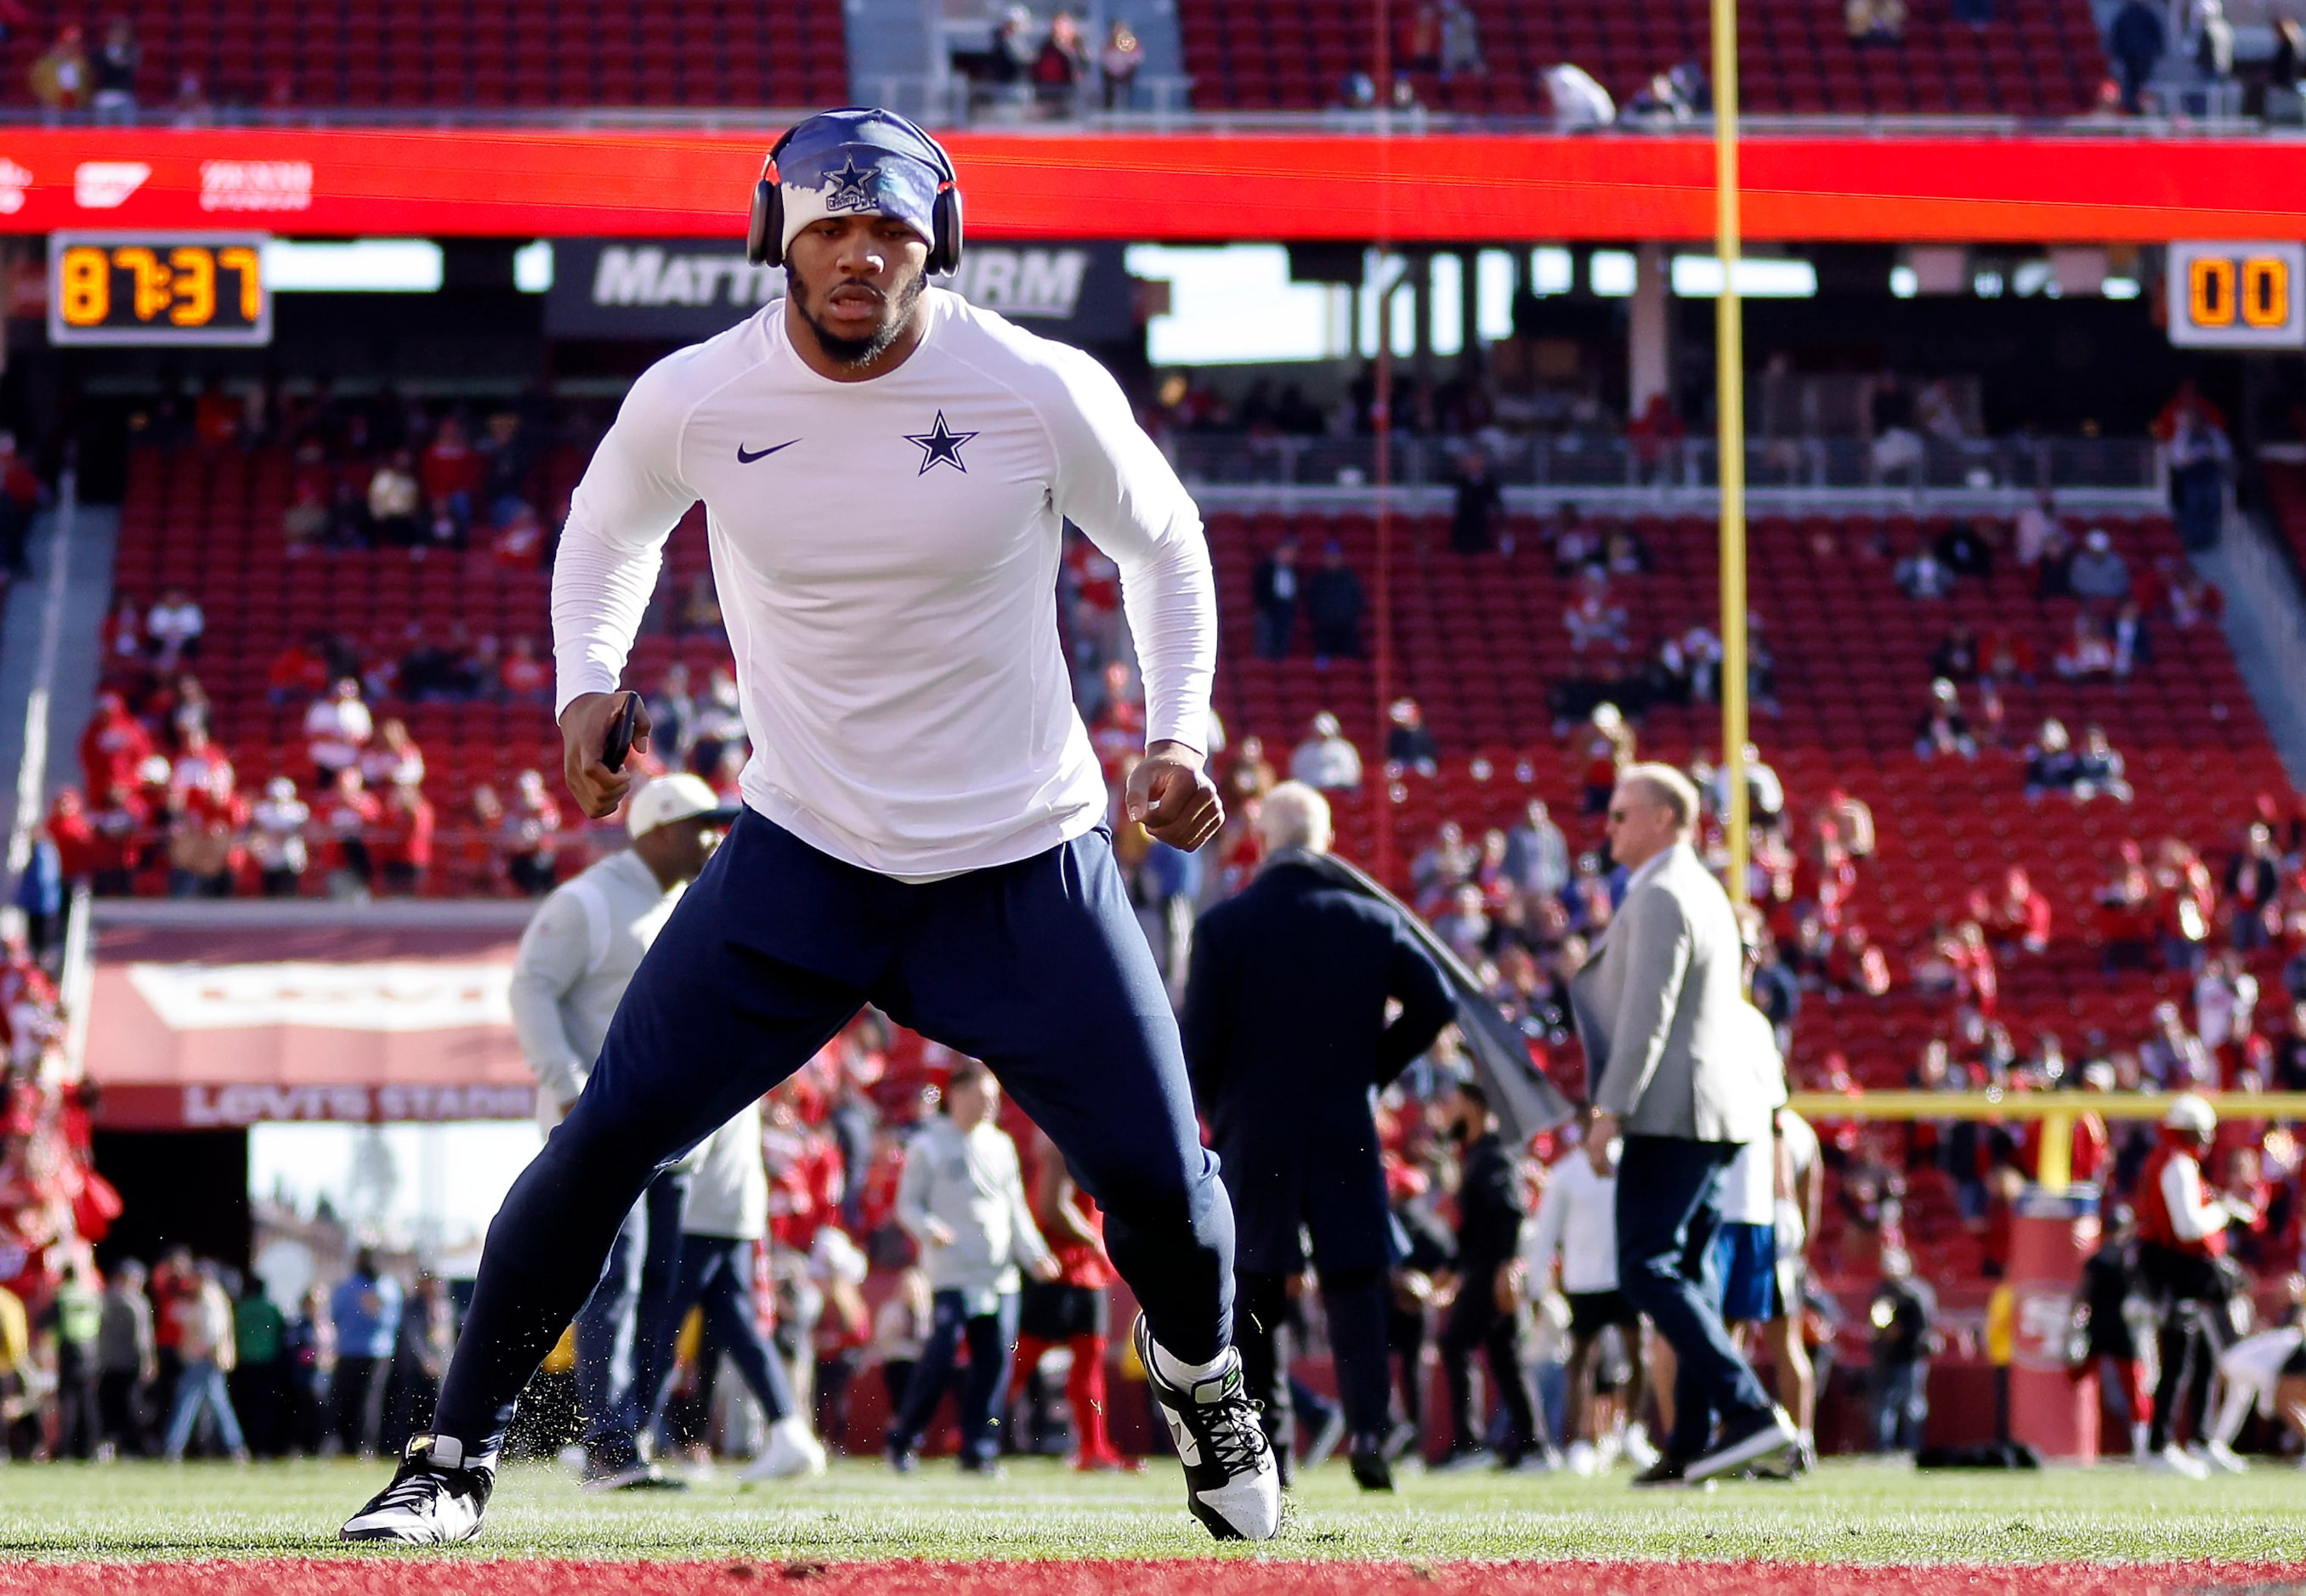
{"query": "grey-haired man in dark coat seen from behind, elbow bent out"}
(1288, 1039)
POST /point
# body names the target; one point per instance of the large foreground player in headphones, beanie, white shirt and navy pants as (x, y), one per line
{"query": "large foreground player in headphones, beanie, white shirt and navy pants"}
(887, 476)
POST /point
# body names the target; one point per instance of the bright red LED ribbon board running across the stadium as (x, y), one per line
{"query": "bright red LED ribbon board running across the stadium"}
(1186, 188)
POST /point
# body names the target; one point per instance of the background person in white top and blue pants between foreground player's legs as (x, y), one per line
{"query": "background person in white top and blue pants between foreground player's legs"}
(963, 1203)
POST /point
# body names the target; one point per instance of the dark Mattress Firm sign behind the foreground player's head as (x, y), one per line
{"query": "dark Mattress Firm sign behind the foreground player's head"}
(684, 292)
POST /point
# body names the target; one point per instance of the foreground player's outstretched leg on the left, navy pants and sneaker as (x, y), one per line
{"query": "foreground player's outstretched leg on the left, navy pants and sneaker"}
(760, 965)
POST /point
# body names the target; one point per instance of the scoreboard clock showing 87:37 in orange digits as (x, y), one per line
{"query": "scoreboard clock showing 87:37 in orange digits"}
(158, 289)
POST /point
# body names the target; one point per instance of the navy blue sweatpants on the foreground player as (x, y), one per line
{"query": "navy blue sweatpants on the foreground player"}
(1034, 968)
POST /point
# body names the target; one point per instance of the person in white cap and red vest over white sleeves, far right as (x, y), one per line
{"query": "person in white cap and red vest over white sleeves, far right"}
(2183, 1258)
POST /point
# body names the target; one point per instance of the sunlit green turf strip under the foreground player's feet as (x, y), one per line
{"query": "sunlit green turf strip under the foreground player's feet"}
(1853, 1512)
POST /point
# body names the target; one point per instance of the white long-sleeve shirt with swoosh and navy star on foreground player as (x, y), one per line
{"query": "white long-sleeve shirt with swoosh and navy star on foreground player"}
(887, 566)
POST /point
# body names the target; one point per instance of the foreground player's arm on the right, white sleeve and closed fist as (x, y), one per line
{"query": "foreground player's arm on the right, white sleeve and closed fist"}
(1117, 488)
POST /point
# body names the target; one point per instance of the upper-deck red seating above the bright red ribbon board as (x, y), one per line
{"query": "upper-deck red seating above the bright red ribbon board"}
(1449, 59)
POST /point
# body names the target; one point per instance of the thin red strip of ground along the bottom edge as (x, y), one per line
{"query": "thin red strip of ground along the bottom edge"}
(393, 1576)
